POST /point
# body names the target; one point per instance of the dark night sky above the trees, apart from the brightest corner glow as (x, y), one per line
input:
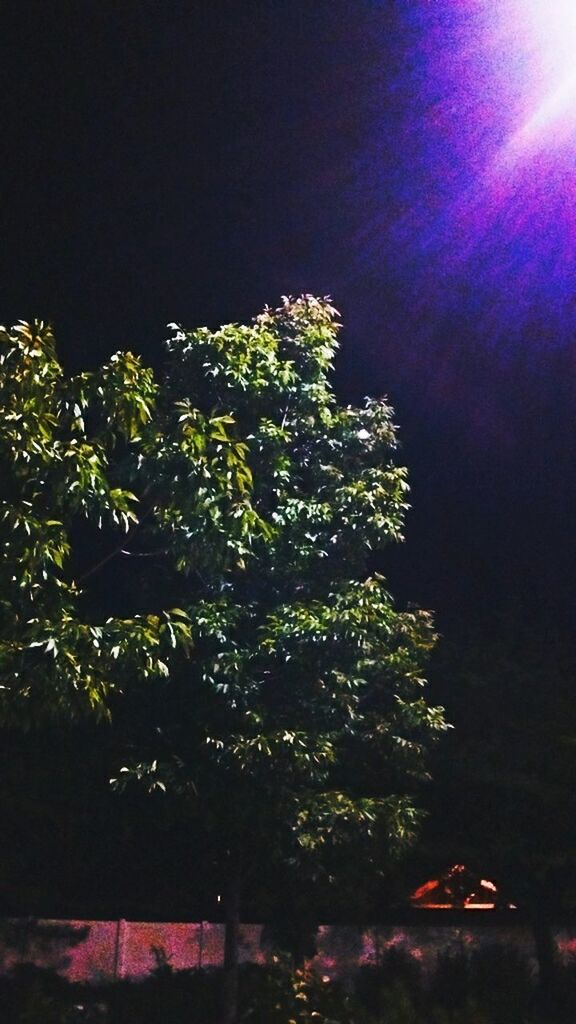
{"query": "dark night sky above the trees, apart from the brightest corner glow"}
(193, 161)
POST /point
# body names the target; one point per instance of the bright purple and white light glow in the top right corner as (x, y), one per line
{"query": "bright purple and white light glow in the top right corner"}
(469, 183)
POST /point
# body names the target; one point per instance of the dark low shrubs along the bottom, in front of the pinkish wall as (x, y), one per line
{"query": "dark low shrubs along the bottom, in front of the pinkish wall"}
(274, 995)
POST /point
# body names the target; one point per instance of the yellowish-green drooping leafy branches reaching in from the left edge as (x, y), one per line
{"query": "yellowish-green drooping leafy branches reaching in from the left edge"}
(100, 465)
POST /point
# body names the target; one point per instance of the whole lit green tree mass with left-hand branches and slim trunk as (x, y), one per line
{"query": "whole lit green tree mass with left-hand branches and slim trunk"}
(290, 720)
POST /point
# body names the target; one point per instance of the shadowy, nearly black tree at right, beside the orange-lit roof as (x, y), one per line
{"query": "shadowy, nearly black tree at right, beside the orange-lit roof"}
(504, 800)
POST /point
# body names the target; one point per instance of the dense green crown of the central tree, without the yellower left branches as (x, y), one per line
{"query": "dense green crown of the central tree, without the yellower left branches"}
(305, 699)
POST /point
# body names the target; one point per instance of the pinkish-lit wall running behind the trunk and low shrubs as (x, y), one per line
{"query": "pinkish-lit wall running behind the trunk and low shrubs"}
(105, 951)
